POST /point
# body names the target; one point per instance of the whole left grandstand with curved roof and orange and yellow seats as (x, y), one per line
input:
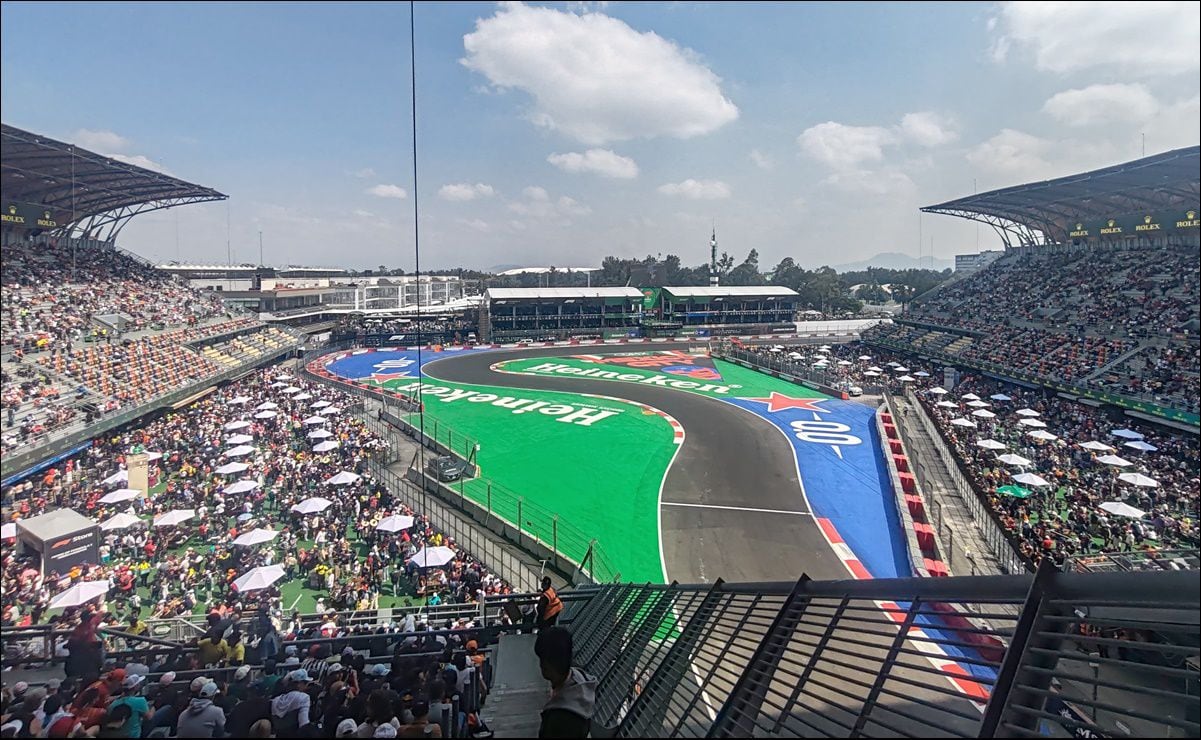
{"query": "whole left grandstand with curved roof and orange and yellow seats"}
(95, 337)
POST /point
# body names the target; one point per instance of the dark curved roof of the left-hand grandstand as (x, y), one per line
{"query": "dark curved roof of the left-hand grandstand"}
(85, 189)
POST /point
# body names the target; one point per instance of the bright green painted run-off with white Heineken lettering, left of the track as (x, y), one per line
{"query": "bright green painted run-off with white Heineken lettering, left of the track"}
(596, 464)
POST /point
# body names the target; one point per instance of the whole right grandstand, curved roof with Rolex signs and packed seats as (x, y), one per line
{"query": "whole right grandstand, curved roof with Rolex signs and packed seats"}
(1098, 294)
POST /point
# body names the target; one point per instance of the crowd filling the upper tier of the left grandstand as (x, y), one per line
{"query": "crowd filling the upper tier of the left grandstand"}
(53, 294)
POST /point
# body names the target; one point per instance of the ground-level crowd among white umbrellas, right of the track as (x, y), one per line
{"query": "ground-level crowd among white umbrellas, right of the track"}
(1065, 518)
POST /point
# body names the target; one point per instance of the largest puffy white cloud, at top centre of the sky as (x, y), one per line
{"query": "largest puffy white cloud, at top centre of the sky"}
(595, 79)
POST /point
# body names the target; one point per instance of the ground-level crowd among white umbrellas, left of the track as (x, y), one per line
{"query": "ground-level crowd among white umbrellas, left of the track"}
(176, 570)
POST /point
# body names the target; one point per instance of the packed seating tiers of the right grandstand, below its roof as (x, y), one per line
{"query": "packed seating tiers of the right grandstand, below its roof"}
(1121, 319)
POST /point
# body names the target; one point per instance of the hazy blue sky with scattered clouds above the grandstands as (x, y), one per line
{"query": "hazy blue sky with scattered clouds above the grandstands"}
(559, 134)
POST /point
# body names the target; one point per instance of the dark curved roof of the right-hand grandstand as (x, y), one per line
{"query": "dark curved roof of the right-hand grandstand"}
(1160, 184)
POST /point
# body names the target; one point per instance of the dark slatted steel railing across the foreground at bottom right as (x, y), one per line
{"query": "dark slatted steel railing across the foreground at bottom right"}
(1088, 654)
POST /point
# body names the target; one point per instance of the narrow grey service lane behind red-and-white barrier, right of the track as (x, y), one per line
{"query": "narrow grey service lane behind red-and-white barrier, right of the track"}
(969, 554)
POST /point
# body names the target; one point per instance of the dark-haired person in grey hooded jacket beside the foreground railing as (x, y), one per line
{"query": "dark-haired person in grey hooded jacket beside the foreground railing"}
(569, 714)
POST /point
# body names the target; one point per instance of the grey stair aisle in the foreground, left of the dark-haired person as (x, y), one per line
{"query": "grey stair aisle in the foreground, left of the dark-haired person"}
(519, 693)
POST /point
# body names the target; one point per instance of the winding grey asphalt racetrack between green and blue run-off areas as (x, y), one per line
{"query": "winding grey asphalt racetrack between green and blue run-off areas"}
(731, 464)
